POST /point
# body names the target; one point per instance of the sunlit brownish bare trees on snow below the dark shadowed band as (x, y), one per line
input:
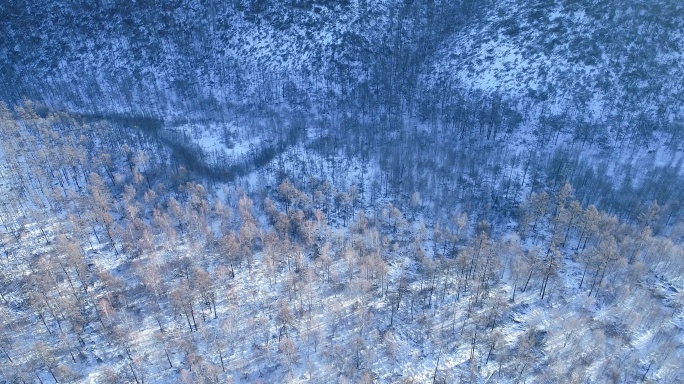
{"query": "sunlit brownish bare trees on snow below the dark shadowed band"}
(118, 264)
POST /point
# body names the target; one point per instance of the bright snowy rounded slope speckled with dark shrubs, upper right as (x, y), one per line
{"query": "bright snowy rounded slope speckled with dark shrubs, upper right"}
(598, 60)
